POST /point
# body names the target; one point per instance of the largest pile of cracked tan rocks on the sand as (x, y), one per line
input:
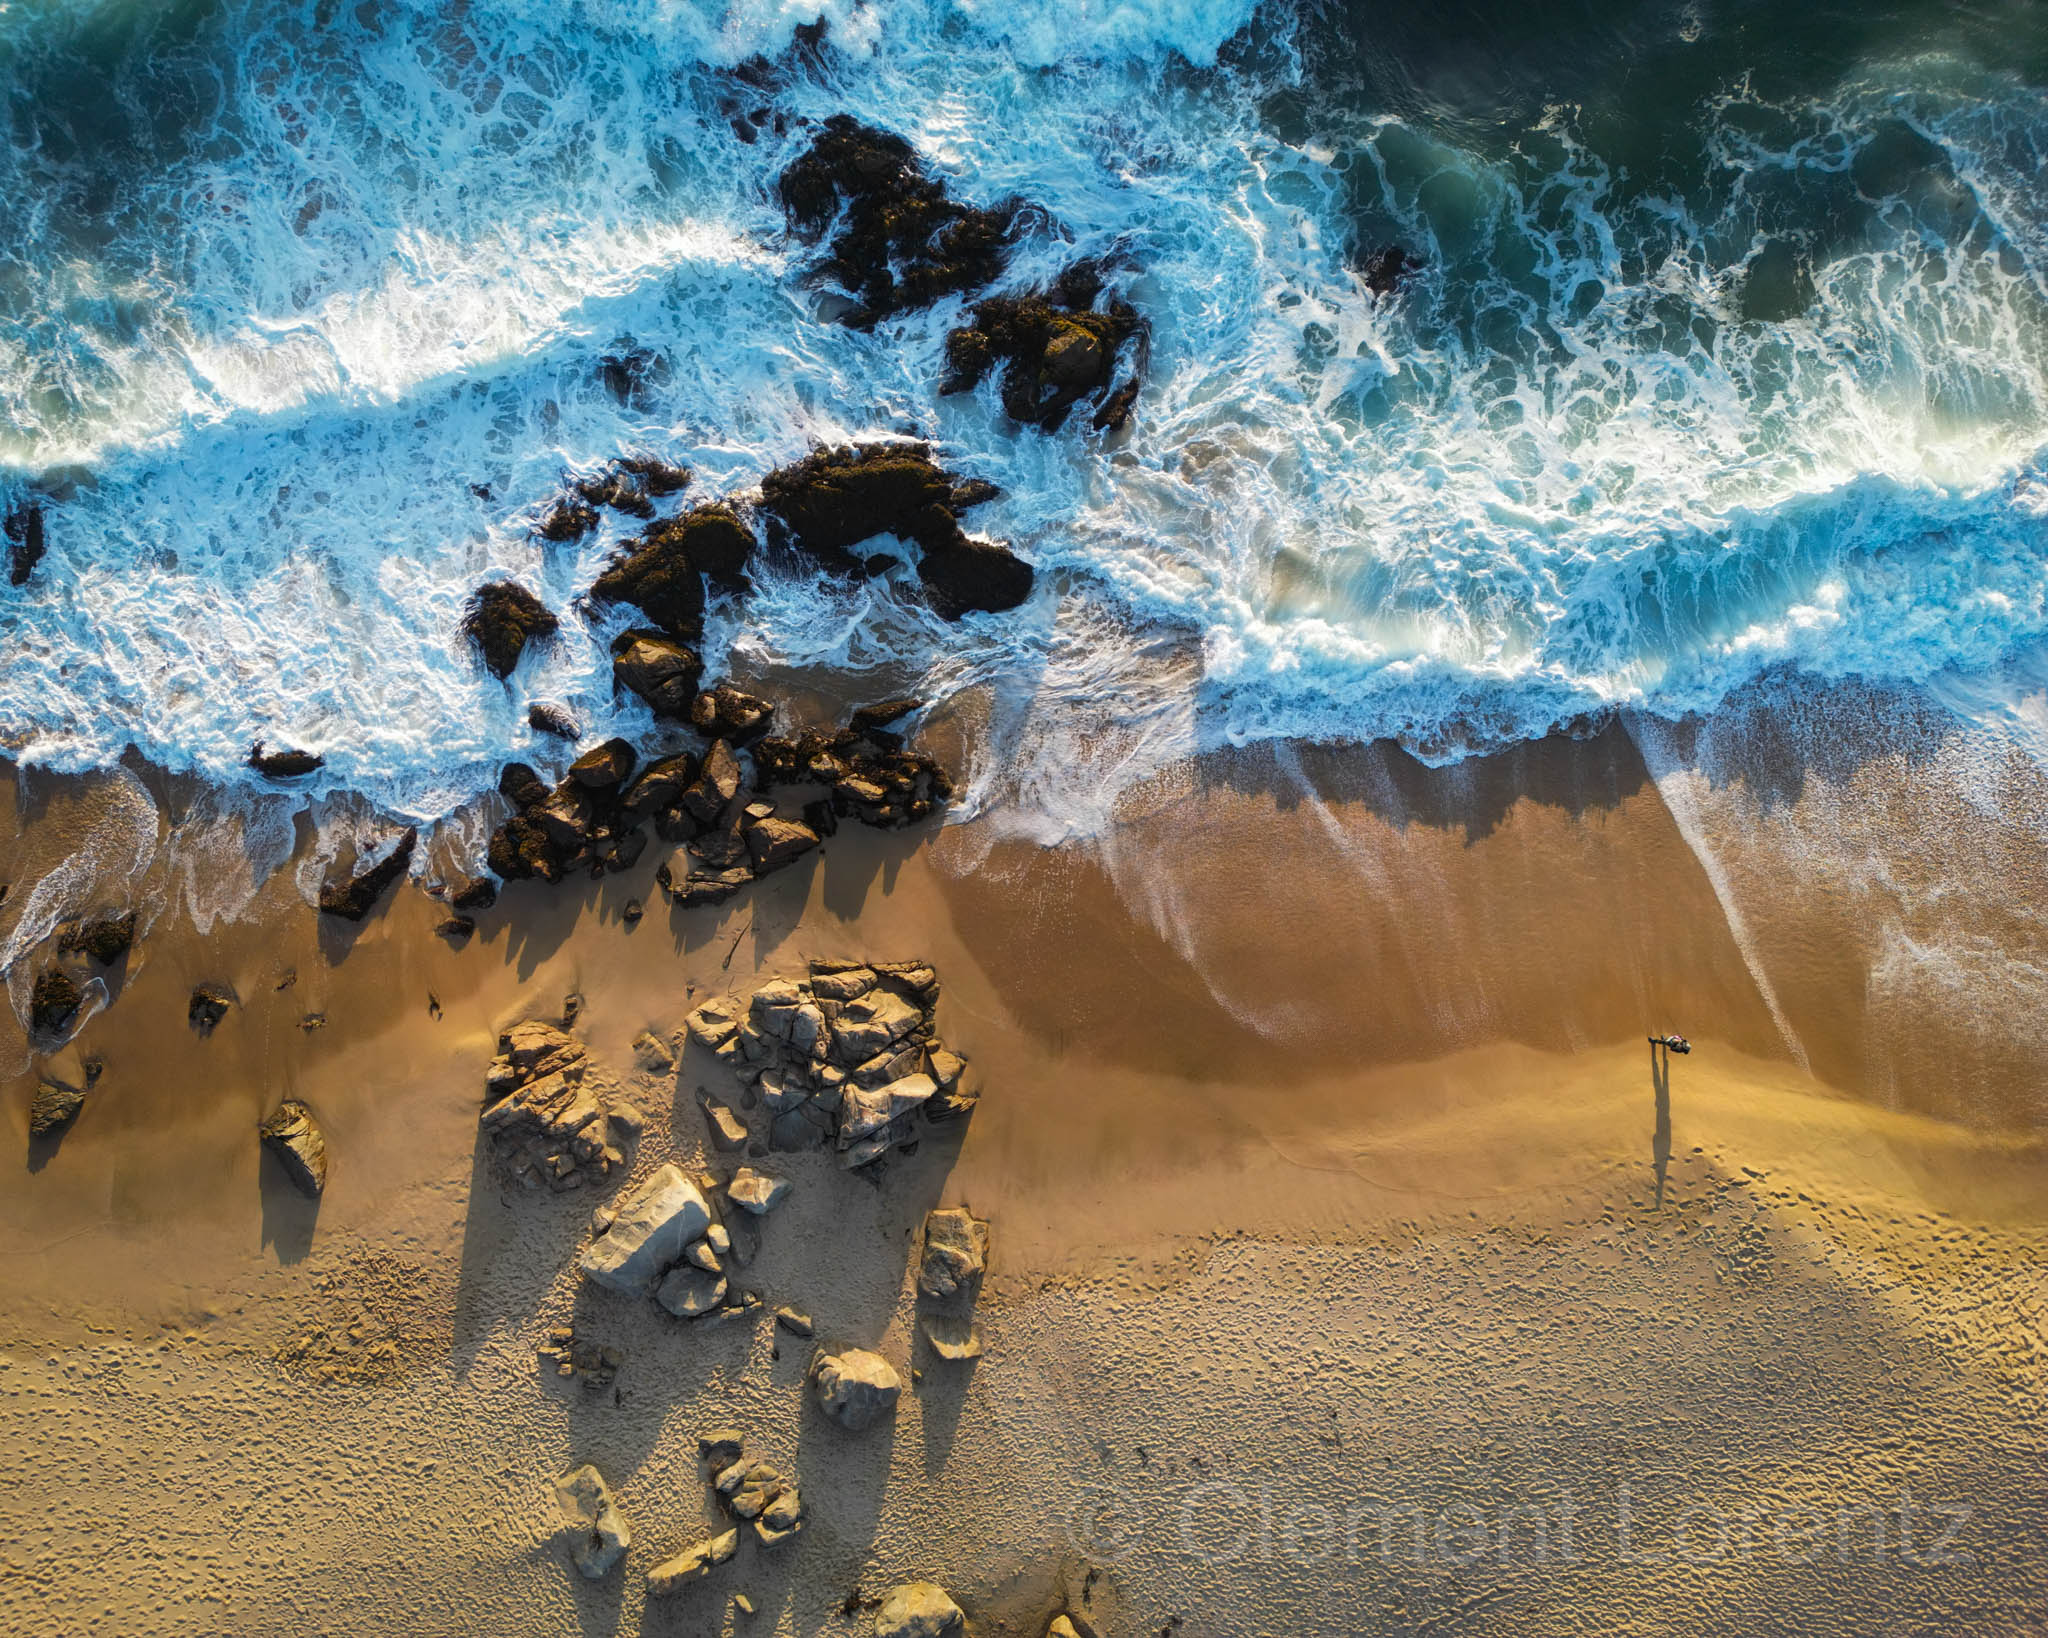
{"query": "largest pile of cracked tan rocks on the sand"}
(849, 1055)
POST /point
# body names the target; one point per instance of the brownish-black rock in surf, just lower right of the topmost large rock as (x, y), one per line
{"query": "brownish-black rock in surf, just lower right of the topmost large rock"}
(1052, 351)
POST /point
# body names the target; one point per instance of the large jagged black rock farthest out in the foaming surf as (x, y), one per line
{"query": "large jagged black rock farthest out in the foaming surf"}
(902, 241)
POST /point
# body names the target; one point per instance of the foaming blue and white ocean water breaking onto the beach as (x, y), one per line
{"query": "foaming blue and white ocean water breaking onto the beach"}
(1727, 363)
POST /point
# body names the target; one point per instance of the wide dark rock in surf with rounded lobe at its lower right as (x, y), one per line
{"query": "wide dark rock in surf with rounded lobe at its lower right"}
(837, 499)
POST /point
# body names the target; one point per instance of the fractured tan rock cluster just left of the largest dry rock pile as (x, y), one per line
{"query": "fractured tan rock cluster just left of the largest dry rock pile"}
(550, 1117)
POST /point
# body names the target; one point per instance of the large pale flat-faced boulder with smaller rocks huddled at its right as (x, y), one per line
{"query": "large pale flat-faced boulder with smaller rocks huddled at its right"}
(667, 1240)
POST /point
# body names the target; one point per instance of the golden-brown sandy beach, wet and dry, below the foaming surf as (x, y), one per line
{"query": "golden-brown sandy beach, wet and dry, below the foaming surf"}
(1355, 1273)
